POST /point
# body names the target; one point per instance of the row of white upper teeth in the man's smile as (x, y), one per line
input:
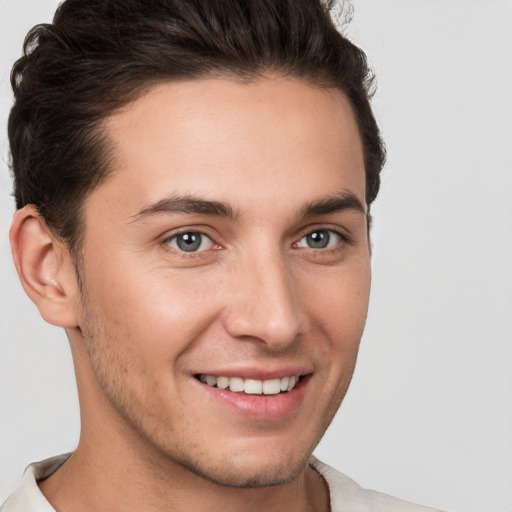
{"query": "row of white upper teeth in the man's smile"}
(251, 386)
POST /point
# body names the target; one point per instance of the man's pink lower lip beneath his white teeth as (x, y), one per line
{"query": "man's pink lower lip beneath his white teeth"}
(264, 407)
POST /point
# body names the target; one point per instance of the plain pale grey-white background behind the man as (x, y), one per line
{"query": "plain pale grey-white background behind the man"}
(429, 414)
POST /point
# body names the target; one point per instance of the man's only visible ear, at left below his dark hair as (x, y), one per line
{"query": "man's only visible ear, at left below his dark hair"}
(45, 268)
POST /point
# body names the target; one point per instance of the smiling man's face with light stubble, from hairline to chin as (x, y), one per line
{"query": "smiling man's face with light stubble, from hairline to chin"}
(225, 276)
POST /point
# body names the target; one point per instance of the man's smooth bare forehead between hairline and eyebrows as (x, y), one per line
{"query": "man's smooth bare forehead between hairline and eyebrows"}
(266, 141)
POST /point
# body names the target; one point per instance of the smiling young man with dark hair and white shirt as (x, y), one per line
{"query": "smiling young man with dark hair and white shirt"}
(193, 182)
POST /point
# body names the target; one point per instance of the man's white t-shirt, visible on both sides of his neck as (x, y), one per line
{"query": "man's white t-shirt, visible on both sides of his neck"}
(345, 494)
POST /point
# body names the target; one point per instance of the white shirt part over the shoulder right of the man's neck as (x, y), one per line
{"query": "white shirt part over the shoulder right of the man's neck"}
(348, 495)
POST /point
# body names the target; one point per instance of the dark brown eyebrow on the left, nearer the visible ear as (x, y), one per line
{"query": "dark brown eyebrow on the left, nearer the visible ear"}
(187, 204)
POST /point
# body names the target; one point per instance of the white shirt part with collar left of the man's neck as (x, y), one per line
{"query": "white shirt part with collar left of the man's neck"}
(28, 497)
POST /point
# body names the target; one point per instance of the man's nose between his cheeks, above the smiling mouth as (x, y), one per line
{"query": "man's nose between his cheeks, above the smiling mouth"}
(266, 303)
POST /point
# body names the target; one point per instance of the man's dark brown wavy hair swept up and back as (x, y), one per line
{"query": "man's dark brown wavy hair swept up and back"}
(99, 55)
